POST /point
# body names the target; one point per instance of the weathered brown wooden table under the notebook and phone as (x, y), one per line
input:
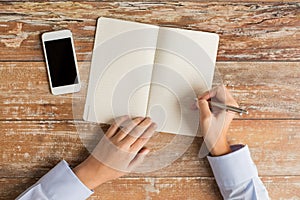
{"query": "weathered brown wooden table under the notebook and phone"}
(258, 58)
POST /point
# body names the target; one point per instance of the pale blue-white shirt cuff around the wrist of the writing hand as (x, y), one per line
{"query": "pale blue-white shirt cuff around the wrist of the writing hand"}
(233, 168)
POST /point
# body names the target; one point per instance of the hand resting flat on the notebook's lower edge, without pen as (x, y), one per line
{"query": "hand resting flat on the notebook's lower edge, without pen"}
(119, 151)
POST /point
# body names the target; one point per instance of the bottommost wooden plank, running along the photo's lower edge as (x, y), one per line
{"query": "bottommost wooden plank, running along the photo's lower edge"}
(162, 188)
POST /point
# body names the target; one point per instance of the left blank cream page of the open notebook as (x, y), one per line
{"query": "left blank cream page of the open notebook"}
(121, 70)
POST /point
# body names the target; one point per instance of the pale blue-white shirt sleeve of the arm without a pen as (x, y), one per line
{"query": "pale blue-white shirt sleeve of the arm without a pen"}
(59, 183)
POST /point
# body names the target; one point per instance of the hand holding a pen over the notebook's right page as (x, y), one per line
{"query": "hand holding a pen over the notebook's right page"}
(215, 122)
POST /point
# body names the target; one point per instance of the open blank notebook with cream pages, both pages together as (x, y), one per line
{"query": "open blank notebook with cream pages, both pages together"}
(146, 70)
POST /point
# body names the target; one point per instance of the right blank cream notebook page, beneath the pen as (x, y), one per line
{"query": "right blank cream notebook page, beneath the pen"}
(184, 67)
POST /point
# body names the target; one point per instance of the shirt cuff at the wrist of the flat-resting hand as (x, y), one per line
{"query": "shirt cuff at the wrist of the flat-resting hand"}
(61, 183)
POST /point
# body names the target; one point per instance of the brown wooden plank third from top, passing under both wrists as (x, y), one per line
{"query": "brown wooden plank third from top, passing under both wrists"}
(31, 148)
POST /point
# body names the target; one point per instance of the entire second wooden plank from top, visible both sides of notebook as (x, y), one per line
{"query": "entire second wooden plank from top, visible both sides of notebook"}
(267, 89)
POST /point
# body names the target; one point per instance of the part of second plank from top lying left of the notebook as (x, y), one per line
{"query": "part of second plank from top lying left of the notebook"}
(25, 93)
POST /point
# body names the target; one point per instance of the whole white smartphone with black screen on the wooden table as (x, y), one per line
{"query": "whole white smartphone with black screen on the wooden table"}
(61, 62)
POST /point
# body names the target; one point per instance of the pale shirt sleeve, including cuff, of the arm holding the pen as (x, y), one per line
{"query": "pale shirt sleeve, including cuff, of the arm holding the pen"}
(237, 176)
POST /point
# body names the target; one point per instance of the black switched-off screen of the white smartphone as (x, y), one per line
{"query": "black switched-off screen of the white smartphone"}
(61, 62)
